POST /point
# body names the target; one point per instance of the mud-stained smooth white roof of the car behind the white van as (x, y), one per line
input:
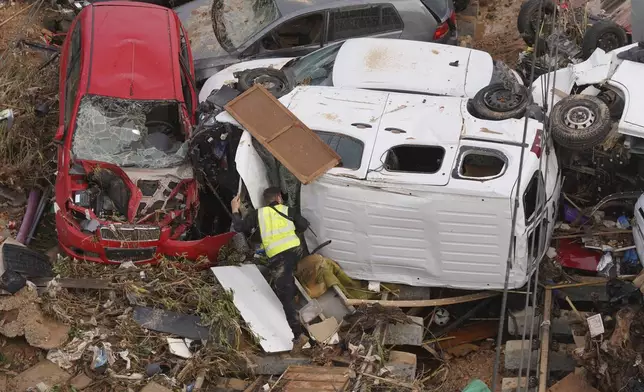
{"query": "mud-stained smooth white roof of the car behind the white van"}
(403, 65)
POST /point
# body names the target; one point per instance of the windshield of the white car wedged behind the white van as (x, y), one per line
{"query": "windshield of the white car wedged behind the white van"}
(315, 69)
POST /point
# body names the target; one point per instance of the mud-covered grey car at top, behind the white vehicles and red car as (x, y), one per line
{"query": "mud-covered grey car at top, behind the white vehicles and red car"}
(224, 32)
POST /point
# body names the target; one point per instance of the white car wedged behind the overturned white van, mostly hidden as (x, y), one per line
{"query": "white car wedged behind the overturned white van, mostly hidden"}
(389, 65)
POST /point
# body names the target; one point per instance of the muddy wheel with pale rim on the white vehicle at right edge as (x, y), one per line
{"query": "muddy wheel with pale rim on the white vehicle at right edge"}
(580, 122)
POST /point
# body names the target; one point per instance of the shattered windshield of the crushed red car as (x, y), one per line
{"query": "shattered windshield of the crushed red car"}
(129, 133)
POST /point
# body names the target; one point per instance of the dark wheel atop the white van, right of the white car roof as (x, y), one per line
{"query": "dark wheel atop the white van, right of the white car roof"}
(497, 102)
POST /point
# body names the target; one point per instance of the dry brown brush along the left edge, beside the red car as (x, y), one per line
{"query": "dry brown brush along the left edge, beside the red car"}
(28, 81)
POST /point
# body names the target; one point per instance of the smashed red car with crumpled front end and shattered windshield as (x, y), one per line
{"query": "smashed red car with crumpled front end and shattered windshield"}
(124, 188)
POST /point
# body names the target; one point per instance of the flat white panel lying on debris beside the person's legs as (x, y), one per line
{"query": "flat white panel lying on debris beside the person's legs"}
(258, 305)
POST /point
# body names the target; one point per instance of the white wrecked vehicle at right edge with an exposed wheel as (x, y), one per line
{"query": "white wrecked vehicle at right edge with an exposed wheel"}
(592, 98)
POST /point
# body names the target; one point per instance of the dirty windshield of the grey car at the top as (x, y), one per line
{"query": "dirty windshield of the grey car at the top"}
(235, 21)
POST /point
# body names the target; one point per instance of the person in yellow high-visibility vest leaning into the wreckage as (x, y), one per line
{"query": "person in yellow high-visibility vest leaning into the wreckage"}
(278, 226)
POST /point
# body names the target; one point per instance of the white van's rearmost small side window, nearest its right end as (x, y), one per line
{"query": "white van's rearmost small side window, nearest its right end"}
(478, 164)
